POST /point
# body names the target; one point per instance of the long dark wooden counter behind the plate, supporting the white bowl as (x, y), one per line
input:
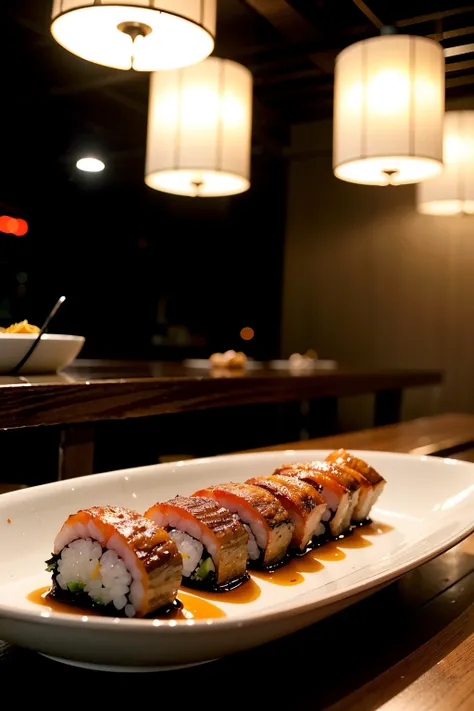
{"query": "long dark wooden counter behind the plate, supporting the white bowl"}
(93, 391)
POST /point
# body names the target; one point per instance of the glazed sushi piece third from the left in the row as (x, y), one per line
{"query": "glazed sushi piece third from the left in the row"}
(268, 524)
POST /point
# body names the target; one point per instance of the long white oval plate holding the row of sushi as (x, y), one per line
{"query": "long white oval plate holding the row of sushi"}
(429, 503)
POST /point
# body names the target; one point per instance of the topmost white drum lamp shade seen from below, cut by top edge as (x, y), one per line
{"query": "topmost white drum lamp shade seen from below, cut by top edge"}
(145, 35)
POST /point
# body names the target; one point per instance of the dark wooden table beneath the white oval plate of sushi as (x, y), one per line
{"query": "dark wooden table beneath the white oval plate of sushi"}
(409, 647)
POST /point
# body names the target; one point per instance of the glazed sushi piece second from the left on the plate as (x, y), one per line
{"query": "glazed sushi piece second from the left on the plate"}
(212, 542)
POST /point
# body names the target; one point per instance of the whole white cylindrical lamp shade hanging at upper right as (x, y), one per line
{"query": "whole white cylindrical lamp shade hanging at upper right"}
(388, 110)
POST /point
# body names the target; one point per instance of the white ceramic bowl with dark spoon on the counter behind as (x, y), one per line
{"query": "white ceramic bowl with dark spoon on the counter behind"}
(53, 353)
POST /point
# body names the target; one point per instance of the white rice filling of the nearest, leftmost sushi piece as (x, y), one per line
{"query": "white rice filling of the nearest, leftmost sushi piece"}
(104, 575)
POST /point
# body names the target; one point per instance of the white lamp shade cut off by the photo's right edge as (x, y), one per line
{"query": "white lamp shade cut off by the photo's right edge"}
(452, 192)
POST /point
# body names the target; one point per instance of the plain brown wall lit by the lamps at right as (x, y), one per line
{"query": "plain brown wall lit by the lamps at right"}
(370, 282)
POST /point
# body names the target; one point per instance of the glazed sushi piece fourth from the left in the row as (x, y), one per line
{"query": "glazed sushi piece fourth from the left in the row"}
(303, 502)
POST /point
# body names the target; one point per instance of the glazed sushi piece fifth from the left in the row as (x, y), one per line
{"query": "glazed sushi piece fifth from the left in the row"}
(338, 496)
